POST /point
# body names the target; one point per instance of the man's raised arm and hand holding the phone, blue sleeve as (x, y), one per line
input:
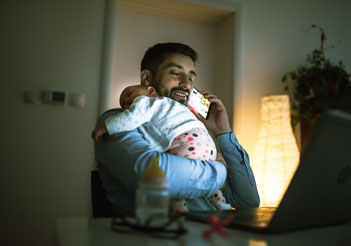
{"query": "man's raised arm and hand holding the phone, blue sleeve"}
(240, 190)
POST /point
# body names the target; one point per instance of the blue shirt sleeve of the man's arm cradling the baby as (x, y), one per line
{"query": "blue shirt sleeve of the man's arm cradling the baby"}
(127, 154)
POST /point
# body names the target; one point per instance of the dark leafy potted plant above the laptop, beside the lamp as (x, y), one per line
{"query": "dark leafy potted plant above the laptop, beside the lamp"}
(314, 86)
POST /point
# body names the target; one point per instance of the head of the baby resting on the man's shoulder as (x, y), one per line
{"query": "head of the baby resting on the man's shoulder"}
(131, 92)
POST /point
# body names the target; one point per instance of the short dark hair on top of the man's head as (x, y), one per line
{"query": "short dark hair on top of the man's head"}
(155, 55)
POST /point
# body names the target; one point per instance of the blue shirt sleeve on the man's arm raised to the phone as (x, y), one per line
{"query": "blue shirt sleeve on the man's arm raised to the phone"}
(240, 189)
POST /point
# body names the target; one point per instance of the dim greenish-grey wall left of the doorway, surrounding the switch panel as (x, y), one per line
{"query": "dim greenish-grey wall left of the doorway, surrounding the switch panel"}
(46, 151)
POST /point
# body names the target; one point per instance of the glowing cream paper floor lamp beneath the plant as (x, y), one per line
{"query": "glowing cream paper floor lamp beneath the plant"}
(276, 154)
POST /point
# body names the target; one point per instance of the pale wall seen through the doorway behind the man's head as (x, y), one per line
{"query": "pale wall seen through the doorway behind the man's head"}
(136, 32)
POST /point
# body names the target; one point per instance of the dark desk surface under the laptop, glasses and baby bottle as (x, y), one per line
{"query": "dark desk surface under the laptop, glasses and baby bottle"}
(97, 232)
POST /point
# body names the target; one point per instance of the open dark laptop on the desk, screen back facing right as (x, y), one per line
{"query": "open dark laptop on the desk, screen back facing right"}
(319, 193)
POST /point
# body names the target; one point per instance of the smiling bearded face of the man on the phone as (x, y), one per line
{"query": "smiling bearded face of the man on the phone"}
(175, 77)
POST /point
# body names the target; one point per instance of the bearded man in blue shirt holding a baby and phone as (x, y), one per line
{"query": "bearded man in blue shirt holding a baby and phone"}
(122, 158)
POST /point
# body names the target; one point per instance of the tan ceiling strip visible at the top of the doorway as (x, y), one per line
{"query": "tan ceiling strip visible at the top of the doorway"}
(176, 9)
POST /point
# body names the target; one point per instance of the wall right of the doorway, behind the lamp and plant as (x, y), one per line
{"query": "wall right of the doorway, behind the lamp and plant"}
(272, 42)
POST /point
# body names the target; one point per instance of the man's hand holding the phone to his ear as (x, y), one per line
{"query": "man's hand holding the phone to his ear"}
(217, 121)
